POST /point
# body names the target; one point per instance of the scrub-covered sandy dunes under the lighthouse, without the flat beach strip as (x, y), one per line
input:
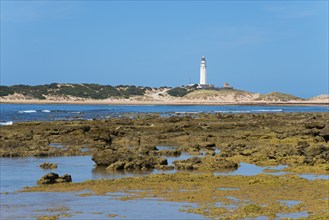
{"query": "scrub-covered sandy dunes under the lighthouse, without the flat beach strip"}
(99, 92)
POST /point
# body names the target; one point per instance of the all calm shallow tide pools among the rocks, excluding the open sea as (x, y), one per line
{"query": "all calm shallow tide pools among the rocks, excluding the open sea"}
(16, 173)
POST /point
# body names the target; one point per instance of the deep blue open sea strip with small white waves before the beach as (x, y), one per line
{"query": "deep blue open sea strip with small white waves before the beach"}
(13, 113)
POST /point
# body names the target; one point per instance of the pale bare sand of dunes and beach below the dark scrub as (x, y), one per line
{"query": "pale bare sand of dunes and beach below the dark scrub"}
(197, 97)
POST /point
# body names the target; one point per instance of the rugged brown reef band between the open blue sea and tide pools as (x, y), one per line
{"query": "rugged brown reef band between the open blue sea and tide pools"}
(294, 139)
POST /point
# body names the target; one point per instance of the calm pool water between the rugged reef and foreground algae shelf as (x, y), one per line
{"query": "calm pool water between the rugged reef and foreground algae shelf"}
(16, 173)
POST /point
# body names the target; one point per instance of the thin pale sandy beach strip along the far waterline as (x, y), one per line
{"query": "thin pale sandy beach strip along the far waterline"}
(164, 102)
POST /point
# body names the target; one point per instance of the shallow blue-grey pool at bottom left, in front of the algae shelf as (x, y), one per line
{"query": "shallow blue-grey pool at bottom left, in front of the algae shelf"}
(36, 204)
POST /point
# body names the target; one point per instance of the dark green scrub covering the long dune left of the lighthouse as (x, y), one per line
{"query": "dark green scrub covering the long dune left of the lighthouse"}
(92, 91)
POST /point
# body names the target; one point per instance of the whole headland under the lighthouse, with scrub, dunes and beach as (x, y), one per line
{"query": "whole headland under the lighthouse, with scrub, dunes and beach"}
(138, 95)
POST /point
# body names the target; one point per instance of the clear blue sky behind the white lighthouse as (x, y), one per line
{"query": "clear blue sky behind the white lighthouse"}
(258, 46)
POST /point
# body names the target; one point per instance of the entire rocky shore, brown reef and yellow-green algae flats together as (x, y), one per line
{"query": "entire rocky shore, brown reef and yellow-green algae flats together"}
(219, 142)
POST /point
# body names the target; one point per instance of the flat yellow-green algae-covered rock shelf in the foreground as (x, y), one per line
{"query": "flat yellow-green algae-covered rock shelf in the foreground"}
(259, 195)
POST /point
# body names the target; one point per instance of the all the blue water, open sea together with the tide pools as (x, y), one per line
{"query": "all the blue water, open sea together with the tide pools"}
(17, 173)
